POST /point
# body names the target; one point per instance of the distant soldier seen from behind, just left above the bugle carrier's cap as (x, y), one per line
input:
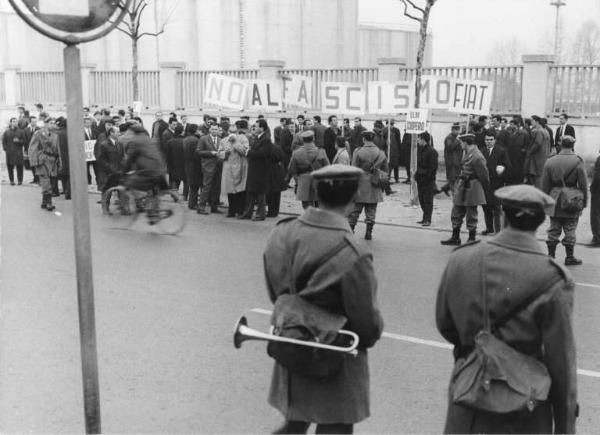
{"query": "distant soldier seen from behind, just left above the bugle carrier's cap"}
(304, 160)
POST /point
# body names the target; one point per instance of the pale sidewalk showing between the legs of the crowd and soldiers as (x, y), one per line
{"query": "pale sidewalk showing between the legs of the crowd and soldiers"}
(395, 210)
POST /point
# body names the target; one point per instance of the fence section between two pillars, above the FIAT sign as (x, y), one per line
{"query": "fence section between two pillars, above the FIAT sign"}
(507, 82)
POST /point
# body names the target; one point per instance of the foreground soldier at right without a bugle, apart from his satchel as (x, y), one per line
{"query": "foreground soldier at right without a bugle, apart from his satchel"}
(531, 296)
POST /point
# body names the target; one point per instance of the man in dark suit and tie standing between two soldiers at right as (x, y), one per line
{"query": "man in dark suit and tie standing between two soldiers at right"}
(498, 166)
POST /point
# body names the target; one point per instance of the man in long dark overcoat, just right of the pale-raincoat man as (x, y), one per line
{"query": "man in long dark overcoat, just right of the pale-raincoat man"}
(259, 175)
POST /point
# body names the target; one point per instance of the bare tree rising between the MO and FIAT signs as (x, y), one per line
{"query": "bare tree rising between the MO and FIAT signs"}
(421, 16)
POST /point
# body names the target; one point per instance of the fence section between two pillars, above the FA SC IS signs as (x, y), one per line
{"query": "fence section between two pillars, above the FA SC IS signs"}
(352, 75)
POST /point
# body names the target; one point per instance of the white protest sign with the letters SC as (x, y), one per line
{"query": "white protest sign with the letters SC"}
(344, 98)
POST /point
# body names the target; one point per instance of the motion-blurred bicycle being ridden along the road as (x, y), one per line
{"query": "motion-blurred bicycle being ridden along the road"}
(162, 208)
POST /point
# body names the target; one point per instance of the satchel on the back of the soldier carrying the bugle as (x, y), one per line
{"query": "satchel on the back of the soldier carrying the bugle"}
(295, 317)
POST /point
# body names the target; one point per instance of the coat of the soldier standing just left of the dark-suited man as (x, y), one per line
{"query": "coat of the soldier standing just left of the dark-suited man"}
(473, 180)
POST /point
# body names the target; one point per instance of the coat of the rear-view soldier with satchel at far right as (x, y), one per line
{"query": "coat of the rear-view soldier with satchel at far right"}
(558, 167)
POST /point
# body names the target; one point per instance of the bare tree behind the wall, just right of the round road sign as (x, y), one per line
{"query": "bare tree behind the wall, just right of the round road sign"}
(132, 27)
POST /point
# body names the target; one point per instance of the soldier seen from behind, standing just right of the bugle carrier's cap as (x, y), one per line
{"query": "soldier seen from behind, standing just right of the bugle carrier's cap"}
(369, 158)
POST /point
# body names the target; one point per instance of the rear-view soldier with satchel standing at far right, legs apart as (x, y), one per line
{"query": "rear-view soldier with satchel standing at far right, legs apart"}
(566, 169)
